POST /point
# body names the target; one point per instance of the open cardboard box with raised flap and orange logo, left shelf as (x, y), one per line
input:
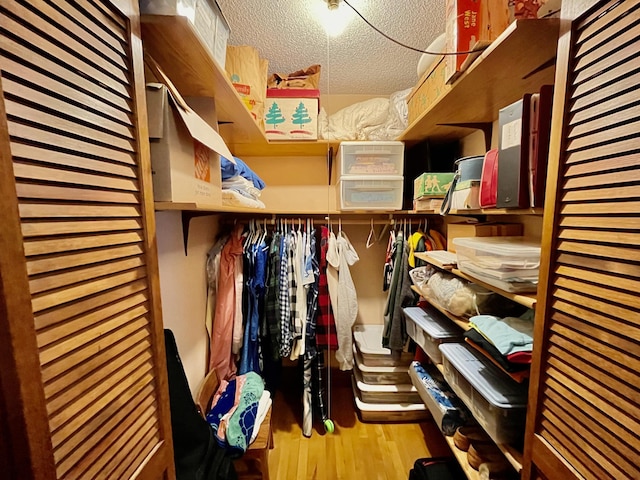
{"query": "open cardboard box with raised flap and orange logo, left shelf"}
(185, 150)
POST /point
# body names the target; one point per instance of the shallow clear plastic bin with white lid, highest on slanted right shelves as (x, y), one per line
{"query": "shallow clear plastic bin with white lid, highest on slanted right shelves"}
(509, 263)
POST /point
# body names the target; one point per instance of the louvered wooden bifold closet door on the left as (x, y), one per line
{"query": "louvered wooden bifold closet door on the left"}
(72, 92)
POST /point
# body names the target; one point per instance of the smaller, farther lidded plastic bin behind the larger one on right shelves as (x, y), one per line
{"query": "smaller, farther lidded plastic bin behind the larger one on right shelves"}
(429, 328)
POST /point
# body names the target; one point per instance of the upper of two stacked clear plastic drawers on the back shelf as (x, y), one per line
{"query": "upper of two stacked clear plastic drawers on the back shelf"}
(371, 158)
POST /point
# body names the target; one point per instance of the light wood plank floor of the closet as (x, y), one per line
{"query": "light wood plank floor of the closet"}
(356, 450)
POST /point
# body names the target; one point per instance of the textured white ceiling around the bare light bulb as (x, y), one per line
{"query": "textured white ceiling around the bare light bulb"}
(359, 61)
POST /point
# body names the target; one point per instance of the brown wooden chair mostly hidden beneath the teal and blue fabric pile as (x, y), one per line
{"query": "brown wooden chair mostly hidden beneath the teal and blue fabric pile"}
(258, 451)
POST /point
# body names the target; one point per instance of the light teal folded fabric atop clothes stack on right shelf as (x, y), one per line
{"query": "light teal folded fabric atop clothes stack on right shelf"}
(509, 334)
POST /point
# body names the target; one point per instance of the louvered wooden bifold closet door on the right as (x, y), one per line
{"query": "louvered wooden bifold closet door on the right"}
(587, 405)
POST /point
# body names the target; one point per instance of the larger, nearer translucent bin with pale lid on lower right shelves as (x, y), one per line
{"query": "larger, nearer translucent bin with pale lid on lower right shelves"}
(497, 402)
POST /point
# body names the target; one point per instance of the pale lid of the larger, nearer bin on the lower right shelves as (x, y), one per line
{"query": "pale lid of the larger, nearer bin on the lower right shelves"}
(494, 385)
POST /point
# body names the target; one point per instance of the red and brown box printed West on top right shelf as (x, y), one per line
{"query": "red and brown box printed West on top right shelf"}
(471, 24)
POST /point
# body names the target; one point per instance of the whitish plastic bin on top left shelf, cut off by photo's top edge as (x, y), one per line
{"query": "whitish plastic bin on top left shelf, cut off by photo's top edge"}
(205, 16)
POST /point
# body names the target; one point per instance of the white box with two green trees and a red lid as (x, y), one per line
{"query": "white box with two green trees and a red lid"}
(292, 114)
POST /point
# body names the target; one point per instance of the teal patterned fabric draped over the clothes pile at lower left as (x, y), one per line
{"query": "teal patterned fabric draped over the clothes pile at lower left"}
(242, 421)
